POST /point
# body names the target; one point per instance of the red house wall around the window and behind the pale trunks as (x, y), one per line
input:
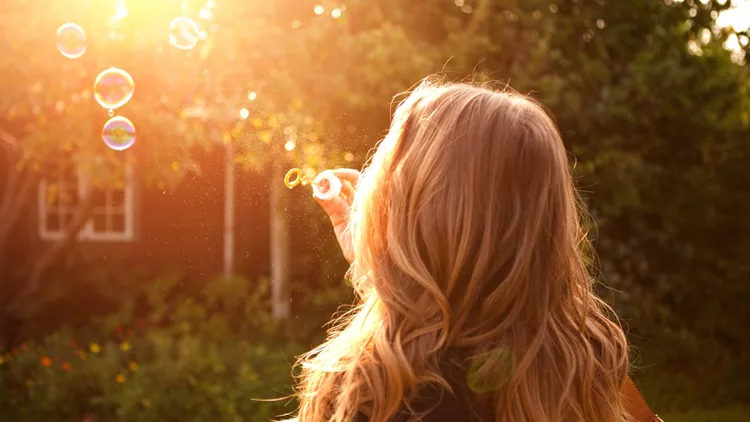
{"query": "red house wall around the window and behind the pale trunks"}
(183, 229)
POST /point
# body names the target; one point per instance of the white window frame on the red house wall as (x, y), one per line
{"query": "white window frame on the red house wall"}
(87, 232)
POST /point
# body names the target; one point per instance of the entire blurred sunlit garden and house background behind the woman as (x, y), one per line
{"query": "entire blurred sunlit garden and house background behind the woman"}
(177, 279)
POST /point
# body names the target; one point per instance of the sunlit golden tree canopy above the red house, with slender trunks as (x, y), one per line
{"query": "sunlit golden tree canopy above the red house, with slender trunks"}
(289, 67)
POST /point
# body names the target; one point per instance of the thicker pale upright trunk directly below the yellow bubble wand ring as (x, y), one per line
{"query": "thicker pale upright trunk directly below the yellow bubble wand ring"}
(281, 306)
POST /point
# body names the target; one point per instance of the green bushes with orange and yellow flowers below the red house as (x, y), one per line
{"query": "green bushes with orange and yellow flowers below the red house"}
(188, 361)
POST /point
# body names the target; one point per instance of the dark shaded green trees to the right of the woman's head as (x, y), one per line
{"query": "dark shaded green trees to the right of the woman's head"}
(654, 109)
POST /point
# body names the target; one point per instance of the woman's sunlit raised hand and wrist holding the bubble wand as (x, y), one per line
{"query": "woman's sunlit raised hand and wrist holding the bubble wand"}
(339, 208)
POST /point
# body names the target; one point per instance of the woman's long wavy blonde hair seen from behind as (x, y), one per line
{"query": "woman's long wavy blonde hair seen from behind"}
(466, 238)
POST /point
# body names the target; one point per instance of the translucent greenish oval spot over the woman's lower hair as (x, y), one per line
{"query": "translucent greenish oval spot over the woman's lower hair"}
(491, 370)
